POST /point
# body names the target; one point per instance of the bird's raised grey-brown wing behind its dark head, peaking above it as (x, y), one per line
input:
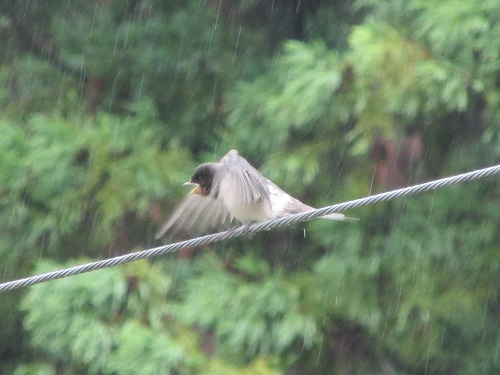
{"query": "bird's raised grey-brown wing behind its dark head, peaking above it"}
(237, 180)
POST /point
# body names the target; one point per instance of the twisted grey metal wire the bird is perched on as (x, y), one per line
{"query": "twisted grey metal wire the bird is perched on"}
(267, 225)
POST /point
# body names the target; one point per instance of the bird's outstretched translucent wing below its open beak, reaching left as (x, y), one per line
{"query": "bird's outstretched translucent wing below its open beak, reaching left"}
(196, 214)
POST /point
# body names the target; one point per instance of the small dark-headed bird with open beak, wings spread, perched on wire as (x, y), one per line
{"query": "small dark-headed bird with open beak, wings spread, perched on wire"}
(228, 189)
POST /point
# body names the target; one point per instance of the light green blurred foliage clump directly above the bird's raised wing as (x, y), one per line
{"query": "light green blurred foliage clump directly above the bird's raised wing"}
(296, 94)
